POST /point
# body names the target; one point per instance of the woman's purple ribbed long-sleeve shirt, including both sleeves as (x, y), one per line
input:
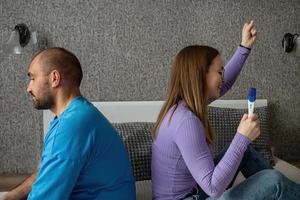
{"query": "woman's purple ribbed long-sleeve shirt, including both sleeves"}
(181, 157)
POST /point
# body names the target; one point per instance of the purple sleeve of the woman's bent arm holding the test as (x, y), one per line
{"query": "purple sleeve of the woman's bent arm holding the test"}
(190, 139)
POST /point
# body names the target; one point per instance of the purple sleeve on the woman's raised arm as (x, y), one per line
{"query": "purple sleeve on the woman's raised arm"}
(234, 67)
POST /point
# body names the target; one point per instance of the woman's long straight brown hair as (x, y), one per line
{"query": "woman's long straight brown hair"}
(187, 82)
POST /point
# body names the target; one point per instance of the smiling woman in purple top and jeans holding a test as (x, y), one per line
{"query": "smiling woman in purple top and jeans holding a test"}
(182, 163)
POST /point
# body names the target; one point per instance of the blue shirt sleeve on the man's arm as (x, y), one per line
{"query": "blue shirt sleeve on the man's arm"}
(65, 153)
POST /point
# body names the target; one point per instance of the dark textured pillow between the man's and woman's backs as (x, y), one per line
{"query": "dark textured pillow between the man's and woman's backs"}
(137, 139)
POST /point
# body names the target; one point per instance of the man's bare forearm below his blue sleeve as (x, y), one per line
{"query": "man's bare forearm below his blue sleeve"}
(21, 191)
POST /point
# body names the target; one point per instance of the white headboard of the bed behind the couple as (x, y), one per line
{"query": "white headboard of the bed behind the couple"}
(144, 111)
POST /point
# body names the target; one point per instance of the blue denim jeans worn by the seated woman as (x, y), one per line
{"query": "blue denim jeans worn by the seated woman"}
(262, 182)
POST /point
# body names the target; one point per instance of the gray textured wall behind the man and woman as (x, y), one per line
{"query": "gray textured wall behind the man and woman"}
(126, 48)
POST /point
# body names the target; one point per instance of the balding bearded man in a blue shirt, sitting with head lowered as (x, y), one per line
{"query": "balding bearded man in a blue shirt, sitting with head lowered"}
(83, 157)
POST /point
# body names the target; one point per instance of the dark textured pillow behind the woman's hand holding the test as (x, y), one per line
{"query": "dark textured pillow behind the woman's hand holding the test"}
(225, 122)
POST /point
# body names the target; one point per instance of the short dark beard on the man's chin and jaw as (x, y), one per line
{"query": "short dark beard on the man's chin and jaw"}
(44, 102)
